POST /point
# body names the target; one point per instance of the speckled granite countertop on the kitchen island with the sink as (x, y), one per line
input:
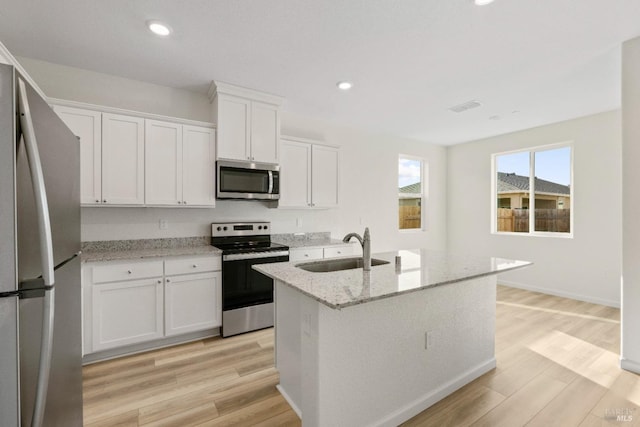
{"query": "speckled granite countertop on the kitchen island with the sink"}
(420, 269)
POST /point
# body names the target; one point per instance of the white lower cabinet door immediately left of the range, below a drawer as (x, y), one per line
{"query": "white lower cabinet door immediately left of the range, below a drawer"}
(192, 302)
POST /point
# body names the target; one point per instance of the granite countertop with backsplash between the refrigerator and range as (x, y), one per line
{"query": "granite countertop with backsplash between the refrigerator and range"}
(112, 250)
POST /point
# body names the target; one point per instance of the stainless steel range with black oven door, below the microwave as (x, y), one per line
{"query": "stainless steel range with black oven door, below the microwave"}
(247, 296)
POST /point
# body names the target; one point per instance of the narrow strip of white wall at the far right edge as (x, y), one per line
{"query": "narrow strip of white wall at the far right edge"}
(630, 351)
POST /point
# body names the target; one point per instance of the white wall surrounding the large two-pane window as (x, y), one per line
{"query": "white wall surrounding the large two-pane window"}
(586, 267)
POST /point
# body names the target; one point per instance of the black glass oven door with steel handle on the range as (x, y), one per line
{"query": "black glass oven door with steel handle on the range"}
(244, 287)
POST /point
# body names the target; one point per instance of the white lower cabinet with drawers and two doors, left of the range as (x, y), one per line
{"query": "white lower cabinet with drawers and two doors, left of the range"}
(132, 302)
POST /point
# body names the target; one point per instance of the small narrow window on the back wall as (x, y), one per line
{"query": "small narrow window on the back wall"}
(410, 193)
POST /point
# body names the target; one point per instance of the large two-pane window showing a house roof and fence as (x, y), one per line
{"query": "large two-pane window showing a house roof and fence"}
(545, 171)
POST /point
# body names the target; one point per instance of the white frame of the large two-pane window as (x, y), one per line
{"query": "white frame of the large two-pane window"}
(494, 192)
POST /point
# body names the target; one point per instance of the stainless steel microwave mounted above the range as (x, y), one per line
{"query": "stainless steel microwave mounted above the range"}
(247, 180)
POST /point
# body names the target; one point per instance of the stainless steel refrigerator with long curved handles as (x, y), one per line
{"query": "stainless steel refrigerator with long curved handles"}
(40, 303)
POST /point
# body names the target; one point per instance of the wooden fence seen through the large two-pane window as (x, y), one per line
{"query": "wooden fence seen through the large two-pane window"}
(517, 220)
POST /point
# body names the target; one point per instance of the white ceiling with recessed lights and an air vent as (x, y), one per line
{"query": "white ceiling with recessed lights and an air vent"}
(528, 62)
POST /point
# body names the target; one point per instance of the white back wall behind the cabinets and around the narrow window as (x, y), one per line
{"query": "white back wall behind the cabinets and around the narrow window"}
(368, 181)
